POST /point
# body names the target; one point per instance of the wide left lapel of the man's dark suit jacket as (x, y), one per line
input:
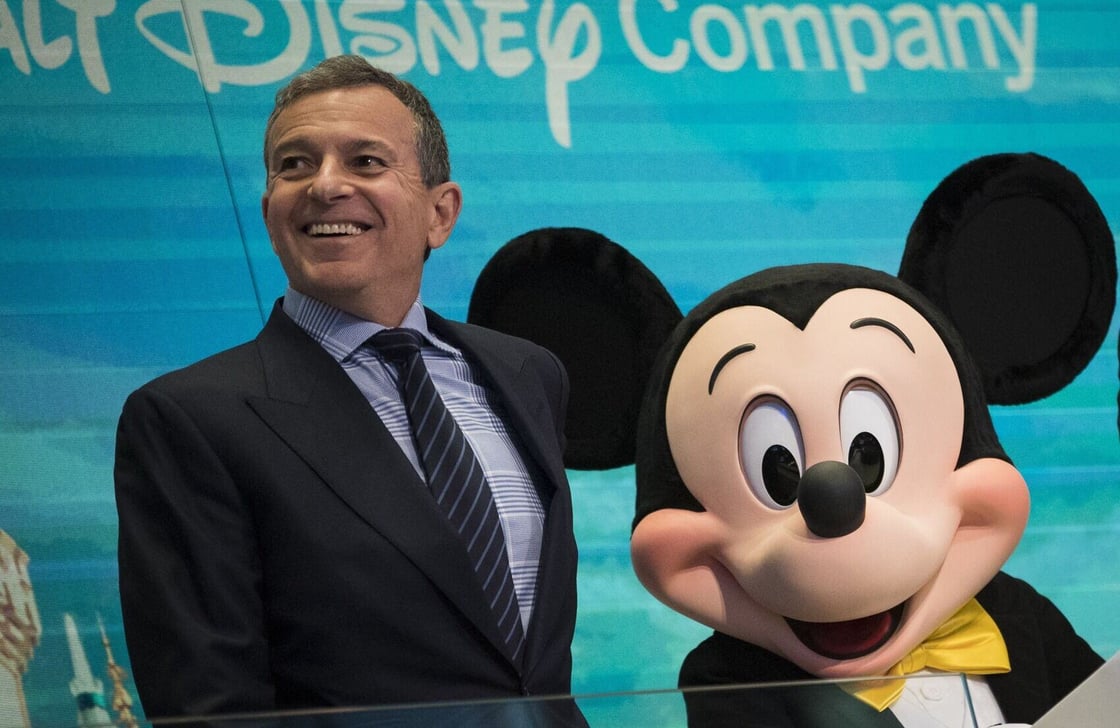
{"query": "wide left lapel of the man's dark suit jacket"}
(320, 413)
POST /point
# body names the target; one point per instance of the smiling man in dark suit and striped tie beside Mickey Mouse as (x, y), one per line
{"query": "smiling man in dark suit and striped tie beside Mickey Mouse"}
(287, 538)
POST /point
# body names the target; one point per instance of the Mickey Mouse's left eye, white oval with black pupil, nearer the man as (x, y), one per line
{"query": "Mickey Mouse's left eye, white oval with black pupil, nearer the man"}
(771, 452)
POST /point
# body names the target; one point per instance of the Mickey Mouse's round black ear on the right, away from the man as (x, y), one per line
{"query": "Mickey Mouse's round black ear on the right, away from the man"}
(1016, 253)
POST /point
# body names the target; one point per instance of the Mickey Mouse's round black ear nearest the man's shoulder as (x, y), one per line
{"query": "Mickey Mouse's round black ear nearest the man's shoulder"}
(601, 311)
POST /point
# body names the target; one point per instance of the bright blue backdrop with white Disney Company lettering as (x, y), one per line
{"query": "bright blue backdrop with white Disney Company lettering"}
(712, 139)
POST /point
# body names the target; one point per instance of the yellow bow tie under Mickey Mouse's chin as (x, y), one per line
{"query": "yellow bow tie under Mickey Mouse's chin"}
(969, 642)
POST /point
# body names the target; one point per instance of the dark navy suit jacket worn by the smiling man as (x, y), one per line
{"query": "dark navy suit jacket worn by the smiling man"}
(278, 550)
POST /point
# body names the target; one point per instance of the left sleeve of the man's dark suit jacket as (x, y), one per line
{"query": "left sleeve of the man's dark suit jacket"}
(189, 567)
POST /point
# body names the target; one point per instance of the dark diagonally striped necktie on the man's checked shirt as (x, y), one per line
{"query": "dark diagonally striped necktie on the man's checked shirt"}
(455, 478)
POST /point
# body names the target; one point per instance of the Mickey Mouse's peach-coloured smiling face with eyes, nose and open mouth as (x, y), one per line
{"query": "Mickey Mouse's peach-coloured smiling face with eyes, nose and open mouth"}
(825, 459)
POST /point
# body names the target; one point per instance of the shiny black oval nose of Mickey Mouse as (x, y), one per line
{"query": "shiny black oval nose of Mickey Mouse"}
(833, 500)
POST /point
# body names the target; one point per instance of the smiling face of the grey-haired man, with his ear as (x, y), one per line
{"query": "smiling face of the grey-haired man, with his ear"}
(346, 207)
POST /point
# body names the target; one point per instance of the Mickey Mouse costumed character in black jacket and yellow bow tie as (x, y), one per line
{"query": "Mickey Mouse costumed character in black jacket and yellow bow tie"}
(818, 475)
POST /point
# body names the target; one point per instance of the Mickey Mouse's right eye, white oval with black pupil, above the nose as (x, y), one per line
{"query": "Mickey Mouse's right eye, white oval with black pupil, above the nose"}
(871, 430)
